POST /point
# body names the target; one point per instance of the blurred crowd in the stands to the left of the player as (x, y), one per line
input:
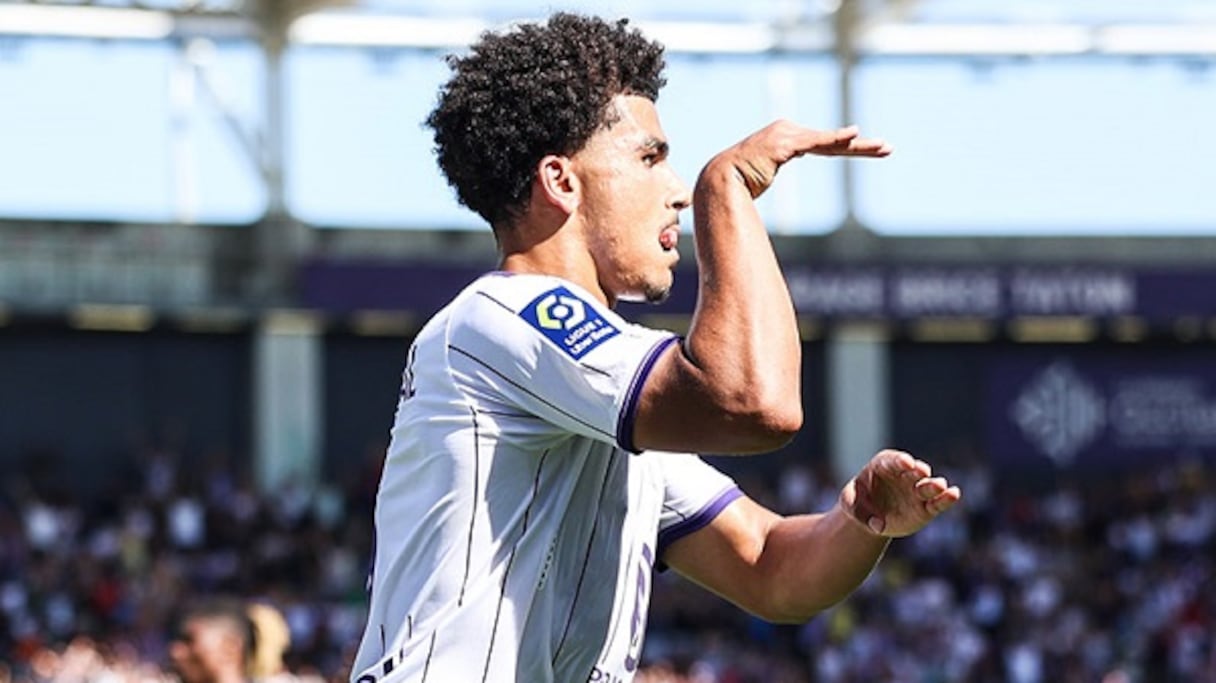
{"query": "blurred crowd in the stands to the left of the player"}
(108, 582)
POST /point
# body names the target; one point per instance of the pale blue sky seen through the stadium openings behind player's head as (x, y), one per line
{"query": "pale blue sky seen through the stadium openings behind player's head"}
(1082, 145)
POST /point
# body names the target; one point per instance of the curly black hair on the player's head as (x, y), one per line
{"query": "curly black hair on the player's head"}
(536, 91)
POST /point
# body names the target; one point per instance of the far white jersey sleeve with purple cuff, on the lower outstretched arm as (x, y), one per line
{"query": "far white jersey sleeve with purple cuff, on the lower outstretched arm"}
(695, 494)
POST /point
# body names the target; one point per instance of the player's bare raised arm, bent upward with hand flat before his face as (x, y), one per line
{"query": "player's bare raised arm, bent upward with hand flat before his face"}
(734, 386)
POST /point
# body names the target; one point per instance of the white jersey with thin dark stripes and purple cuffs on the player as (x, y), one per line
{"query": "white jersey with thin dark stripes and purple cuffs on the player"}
(516, 524)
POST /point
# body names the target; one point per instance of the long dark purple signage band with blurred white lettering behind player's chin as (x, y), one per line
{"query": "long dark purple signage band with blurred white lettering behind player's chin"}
(836, 292)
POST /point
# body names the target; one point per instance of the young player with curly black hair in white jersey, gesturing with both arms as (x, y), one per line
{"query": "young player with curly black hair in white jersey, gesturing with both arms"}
(541, 462)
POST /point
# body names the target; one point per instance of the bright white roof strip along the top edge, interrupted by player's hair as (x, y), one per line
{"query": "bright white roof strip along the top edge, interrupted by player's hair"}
(882, 29)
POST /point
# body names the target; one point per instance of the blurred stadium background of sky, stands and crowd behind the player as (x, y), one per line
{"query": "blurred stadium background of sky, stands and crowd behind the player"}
(221, 225)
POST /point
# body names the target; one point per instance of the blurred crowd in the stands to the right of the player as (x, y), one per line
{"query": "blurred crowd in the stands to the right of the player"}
(1091, 578)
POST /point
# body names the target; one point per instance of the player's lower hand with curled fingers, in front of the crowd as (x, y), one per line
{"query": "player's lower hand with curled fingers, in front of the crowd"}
(897, 495)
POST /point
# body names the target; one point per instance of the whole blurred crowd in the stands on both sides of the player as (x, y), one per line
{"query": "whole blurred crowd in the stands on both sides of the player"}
(1091, 578)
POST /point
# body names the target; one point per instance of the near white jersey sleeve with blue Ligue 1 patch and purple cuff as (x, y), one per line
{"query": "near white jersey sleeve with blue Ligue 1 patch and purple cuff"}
(555, 353)
